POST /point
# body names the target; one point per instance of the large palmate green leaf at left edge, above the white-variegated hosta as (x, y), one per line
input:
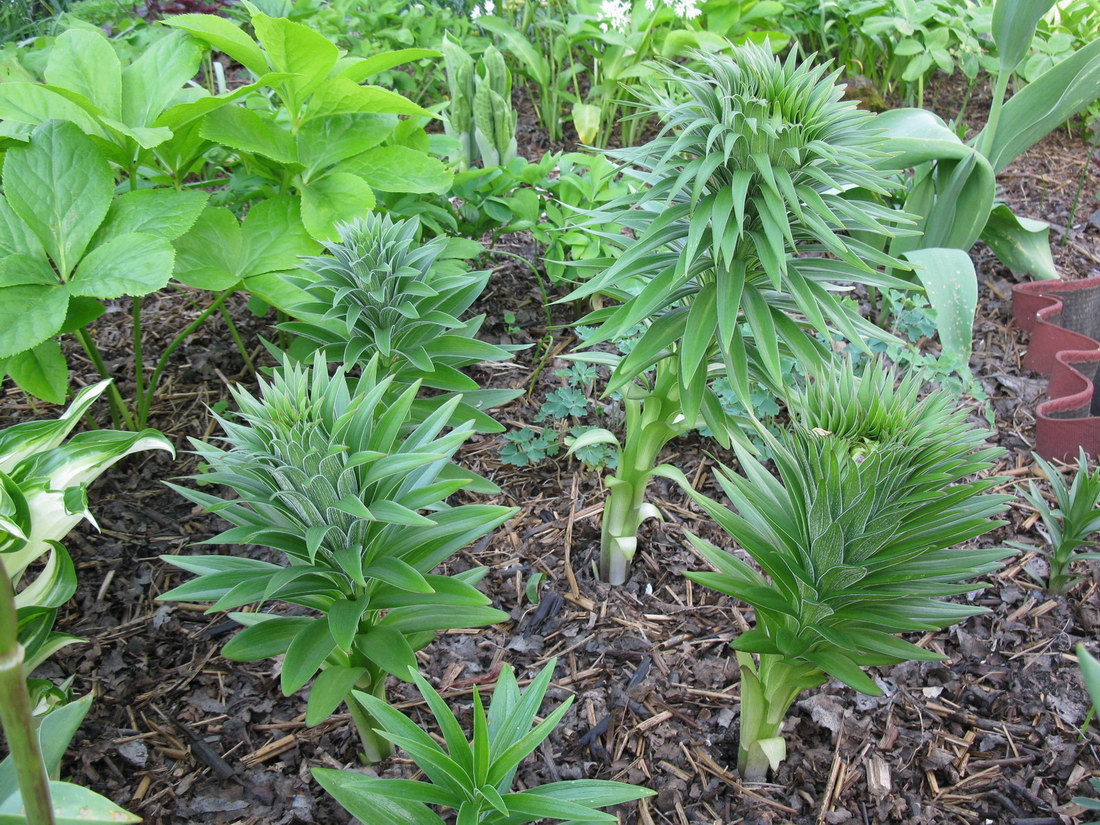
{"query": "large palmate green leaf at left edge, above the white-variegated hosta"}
(70, 244)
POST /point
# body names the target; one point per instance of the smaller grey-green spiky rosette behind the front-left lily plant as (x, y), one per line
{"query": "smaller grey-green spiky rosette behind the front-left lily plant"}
(381, 293)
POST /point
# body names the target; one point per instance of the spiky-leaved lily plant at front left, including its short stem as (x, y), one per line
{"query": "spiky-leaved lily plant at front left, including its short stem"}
(334, 475)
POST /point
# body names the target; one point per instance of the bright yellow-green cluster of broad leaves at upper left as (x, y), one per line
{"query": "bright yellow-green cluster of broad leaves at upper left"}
(326, 139)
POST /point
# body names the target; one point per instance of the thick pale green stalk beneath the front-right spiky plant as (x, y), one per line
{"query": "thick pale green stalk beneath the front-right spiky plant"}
(768, 691)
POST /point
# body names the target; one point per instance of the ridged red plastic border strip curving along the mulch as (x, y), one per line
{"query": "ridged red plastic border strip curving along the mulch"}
(1054, 351)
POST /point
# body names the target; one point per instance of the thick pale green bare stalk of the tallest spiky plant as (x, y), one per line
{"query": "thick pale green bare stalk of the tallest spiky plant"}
(652, 422)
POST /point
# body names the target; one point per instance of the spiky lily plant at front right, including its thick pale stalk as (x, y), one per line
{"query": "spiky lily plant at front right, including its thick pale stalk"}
(855, 543)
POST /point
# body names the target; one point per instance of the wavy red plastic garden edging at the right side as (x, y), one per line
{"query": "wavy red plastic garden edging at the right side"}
(1064, 320)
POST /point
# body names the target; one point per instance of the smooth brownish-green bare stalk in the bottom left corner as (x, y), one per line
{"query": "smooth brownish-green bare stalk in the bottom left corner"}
(17, 719)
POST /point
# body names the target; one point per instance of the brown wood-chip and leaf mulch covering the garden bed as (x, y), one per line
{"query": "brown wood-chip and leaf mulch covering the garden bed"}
(181, 735)
